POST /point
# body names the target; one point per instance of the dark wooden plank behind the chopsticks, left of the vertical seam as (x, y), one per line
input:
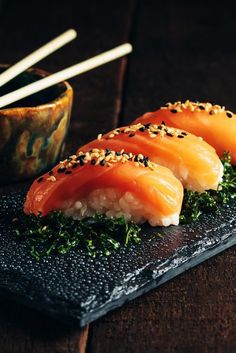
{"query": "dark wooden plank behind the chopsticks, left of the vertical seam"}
(100, 26)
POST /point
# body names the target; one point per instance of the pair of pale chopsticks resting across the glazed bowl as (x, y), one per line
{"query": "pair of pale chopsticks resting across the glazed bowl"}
(60, 76)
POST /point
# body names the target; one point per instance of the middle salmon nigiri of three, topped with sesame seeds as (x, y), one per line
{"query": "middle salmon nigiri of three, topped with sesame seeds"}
(193, 161)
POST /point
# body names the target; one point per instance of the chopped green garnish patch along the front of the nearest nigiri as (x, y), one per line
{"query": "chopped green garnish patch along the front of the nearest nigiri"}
(57, 234)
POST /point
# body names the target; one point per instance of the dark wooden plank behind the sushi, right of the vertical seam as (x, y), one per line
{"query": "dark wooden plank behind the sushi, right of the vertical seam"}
(181, 51)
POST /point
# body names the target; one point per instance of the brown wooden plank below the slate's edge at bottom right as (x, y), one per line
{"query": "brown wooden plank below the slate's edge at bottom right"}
(193, 313)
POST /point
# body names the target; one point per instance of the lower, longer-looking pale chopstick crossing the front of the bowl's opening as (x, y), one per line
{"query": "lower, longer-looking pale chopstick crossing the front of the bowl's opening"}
(65, 74)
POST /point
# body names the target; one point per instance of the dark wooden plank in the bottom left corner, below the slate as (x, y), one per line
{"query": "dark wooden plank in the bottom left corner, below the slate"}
(23, 330)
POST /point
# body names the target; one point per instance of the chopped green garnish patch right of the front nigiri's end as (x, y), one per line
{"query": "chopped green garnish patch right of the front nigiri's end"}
(195, 204)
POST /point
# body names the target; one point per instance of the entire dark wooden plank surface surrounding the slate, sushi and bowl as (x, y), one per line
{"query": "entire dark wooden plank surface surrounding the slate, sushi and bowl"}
(182, 49)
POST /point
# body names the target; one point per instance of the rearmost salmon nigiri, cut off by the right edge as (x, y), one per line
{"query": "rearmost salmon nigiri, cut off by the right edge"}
(213, 123)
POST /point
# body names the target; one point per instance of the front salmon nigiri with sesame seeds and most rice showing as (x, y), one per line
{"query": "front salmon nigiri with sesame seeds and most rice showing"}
(112, 183)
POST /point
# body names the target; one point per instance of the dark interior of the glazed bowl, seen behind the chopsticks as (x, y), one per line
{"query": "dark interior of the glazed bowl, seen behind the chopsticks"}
(46, 96)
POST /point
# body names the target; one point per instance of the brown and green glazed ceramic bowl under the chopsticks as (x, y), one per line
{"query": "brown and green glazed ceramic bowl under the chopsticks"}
(33, 130)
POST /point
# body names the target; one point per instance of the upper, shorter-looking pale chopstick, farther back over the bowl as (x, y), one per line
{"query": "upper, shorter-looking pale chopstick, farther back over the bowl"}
(37, 55)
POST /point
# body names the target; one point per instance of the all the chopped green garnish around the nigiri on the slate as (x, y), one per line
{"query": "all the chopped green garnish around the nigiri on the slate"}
(57, 234)
